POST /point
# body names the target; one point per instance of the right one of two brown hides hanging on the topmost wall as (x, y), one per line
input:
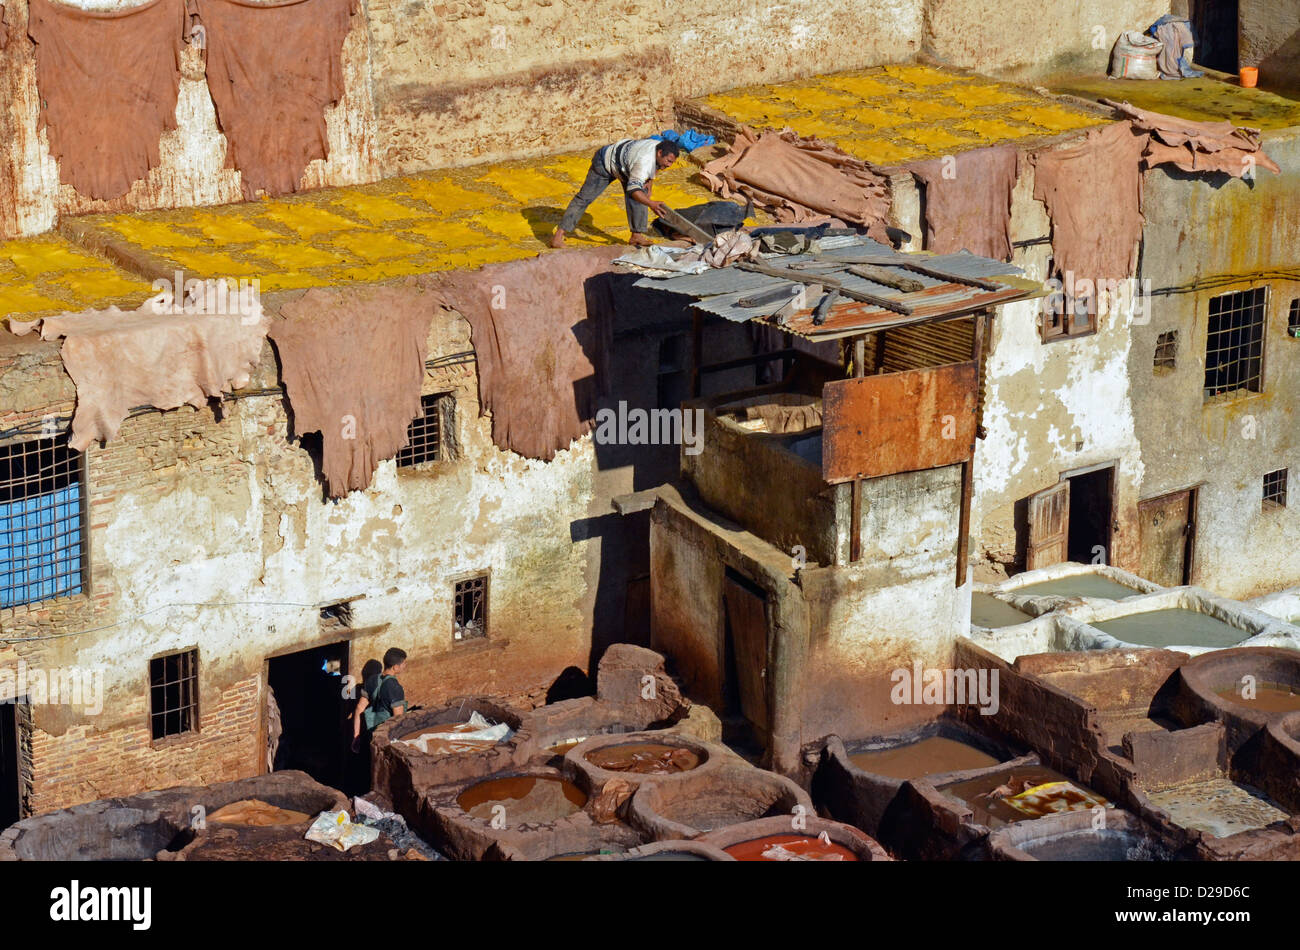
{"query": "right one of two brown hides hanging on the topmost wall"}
(274, 71)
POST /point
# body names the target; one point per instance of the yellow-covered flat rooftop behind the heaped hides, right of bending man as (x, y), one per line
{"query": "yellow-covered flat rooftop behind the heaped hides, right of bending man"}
(902, 114)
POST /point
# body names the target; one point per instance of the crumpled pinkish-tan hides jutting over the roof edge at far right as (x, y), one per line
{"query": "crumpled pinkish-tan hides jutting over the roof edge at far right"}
(1199, 146)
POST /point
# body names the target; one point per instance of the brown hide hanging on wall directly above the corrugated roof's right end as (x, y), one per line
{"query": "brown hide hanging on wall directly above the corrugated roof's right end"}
(972, 206)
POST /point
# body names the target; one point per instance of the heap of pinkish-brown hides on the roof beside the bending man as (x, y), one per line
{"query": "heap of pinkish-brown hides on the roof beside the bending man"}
(801, 180)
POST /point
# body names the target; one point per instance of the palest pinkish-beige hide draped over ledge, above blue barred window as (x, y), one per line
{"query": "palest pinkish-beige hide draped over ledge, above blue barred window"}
(120, 361)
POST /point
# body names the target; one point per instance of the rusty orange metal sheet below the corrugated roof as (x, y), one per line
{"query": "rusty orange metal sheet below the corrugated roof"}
(909, 422)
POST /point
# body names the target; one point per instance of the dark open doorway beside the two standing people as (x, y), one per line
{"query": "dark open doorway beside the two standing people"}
(315, 730)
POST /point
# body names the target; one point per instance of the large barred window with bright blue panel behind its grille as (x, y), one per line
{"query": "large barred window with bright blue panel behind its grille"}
(42, 522)
